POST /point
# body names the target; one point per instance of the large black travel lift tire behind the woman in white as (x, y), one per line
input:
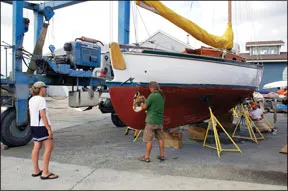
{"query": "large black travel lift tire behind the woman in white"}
(11, 134)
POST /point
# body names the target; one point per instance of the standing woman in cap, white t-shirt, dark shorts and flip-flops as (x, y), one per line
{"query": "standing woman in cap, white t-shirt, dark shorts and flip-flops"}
(41, 130)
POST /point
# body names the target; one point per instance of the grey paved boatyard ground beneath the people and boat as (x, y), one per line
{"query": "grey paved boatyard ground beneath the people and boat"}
(91, 153)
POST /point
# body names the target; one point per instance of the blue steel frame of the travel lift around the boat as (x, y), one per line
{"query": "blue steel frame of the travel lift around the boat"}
(19, 78)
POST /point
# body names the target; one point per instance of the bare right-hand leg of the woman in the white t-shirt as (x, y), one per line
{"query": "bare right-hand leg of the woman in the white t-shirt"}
(48, 144)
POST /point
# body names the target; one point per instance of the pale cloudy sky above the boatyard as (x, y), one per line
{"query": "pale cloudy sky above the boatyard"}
(251, 20)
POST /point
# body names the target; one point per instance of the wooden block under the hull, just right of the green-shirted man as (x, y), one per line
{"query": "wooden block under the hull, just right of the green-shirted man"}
(173, 139)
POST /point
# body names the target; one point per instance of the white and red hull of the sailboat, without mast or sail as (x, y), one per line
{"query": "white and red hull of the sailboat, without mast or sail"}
(184, 81)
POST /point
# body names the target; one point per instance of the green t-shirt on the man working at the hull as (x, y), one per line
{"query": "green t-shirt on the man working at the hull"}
(155, 110)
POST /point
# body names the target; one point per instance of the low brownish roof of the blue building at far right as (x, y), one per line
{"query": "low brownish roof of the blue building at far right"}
(266, 58)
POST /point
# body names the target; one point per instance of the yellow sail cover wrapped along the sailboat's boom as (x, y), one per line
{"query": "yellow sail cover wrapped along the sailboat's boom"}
(224, 42)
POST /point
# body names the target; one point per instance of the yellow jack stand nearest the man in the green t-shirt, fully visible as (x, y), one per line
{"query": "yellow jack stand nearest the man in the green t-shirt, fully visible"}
(213, 121)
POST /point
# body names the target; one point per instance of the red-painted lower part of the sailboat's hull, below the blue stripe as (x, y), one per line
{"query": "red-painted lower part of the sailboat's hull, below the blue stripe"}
(182, 106)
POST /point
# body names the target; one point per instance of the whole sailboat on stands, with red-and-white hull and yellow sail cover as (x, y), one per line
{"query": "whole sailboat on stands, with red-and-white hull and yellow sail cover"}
(185, 78)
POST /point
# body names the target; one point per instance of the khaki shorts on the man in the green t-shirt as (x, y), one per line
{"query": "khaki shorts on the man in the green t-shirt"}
(152, 130)
